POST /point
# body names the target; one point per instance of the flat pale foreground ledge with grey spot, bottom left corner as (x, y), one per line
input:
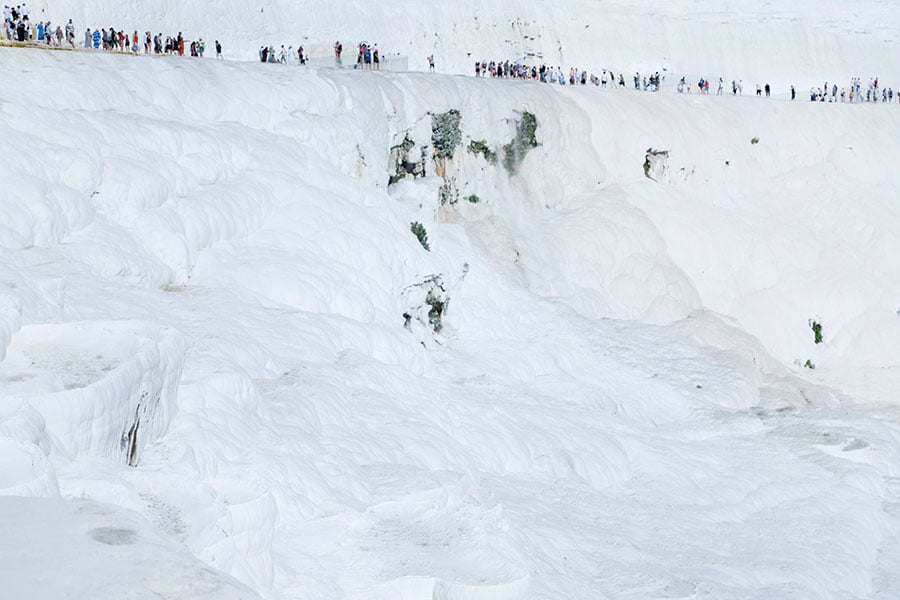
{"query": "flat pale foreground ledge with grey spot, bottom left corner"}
(83, 549)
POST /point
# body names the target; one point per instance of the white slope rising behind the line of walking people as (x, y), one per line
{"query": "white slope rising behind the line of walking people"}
(784, 42)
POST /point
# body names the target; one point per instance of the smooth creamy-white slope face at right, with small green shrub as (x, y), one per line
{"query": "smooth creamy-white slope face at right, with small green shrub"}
(796, 227)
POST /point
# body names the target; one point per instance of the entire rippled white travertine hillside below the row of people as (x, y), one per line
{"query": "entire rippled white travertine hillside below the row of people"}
(585, 425)
